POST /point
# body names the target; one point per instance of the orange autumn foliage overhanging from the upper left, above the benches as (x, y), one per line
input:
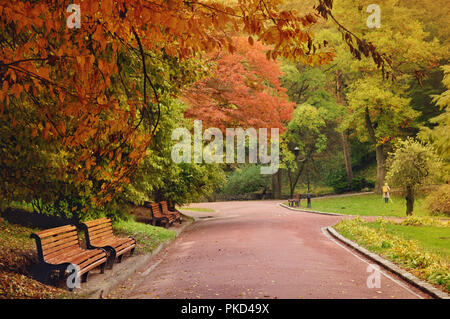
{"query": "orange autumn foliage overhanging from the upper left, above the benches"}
(98, 91)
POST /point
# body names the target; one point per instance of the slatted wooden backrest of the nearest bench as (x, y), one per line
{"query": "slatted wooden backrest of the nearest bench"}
(54, 241)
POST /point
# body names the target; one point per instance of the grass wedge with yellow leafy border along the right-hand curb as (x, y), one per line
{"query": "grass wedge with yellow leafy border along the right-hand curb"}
(422, 250)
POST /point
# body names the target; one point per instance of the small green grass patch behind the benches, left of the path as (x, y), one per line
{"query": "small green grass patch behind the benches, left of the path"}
(148, 237)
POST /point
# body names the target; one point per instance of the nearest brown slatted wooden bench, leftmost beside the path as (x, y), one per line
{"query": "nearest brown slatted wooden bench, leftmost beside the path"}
(59, 247)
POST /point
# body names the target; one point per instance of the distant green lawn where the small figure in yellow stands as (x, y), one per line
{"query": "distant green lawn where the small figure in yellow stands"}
(366, 205)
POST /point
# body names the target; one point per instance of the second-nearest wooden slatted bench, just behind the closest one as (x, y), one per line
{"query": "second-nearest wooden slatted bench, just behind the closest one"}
(99, 234)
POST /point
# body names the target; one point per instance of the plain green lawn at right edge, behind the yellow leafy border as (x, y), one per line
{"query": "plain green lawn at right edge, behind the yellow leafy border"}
(430, 238)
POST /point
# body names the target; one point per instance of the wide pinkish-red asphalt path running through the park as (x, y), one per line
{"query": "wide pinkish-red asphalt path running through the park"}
(257, 249)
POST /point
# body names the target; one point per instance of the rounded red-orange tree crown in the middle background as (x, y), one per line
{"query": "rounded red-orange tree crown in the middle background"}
(244, 91)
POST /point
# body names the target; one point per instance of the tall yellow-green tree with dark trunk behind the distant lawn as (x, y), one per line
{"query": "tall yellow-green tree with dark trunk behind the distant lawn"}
(411, 51)
